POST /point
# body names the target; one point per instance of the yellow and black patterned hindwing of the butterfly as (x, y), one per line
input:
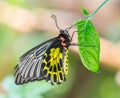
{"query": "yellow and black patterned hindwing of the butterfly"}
(54, 64)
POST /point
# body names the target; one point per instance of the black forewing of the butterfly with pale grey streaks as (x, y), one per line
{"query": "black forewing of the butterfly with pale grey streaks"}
(26, 71)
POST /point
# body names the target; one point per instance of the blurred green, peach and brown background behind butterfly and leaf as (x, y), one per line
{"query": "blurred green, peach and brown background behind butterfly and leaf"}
(27, 23)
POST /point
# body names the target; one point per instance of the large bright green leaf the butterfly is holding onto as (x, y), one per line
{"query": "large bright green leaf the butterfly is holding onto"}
(89, 45)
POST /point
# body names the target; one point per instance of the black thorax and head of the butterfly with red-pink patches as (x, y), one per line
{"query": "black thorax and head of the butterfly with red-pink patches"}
(65, 38)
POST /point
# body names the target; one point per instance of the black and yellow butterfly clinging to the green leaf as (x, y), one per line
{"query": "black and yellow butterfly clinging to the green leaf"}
(47, 61)
